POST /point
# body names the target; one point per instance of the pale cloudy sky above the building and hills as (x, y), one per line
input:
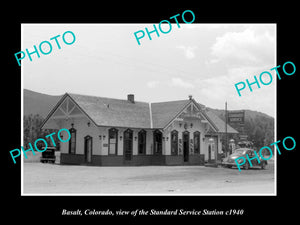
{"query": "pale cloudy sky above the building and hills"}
(202, 60)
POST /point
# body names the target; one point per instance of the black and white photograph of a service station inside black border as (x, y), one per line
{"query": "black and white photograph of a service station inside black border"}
(149, 119)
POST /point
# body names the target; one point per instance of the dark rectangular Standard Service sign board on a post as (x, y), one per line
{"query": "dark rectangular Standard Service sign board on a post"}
(236, 119)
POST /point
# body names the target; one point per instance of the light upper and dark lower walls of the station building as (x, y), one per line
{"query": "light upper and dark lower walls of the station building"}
(100, 145)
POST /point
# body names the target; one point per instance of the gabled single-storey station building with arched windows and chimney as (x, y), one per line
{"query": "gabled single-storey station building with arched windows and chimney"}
(113, 132)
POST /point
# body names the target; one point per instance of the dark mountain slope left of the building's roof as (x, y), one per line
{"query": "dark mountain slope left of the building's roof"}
(38, 103)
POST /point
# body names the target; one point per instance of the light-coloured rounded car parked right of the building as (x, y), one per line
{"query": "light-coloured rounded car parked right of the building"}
(230, 160)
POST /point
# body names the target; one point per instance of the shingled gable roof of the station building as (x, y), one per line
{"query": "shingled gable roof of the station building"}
(123, 113)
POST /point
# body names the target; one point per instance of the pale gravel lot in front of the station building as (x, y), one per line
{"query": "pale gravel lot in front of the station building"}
(166, 180)
